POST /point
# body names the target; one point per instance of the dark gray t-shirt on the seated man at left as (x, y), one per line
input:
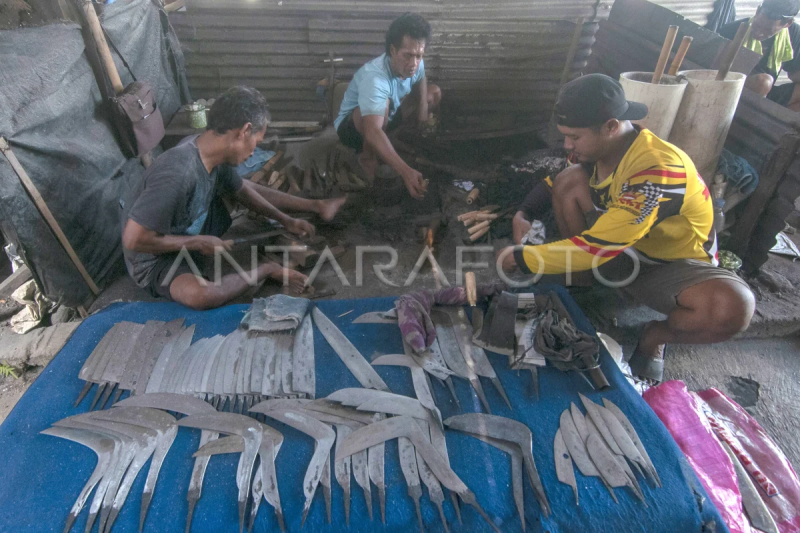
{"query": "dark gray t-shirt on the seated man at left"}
(173, 198)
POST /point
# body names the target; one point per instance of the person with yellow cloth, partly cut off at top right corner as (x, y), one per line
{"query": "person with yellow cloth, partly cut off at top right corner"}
(775, 36)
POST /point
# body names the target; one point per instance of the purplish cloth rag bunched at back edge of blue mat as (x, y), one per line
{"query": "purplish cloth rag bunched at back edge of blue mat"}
(413, 311)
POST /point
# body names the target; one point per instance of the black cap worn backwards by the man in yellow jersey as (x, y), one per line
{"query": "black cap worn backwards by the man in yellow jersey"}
(593, 99)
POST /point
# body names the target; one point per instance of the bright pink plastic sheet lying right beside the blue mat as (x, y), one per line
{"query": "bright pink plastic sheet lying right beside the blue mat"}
(683, 415)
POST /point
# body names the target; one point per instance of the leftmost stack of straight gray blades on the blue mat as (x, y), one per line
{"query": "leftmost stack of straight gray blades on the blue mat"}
(125, 357)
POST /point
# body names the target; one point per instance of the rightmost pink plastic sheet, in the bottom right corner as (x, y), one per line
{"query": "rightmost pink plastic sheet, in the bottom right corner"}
(770, 471)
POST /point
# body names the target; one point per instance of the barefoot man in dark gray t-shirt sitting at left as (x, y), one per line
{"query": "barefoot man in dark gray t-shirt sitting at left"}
(176, 215)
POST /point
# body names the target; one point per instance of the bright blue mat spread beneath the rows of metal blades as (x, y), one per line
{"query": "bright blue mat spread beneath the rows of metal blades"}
(40, 476)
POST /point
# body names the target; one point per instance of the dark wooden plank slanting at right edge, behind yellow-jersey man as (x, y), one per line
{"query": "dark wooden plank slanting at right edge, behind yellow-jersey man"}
(779, 163)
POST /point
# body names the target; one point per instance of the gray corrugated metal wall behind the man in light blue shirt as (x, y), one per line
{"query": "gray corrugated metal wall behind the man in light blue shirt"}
(499, 63)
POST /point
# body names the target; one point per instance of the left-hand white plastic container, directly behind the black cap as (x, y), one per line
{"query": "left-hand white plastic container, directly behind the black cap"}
(662, 100)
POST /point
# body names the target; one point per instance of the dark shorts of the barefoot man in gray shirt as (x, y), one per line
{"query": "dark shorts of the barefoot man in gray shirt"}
(217, 223)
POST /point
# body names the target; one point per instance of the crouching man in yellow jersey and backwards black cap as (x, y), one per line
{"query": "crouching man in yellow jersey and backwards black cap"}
(638, 200)
